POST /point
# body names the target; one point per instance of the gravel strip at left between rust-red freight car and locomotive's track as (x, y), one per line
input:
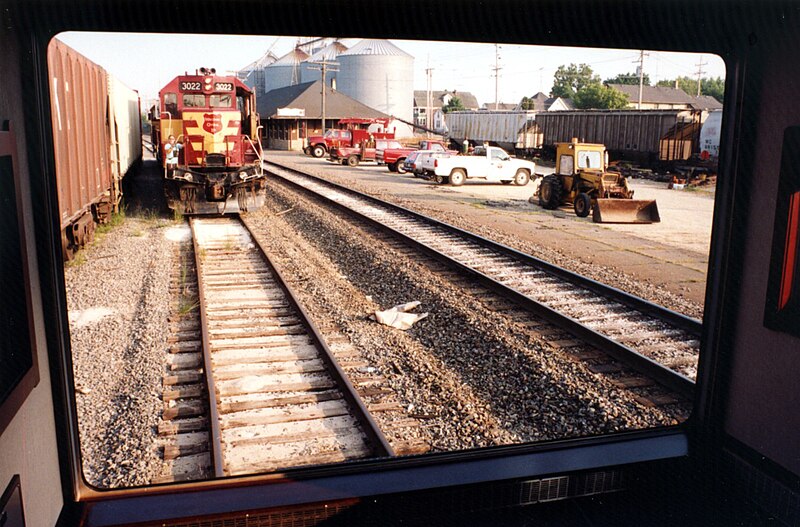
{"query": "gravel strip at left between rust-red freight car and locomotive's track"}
(118, 302)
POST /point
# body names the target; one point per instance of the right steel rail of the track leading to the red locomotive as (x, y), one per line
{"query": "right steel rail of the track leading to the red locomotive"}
(370, 427)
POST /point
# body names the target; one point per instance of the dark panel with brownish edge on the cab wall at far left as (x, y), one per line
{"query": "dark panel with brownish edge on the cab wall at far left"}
(21, 374)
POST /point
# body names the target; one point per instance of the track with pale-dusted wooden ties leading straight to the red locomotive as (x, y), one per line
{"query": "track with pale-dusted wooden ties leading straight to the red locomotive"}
(277, 398)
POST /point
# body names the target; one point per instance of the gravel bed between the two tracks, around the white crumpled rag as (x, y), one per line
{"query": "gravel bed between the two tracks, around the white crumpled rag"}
(478, 378)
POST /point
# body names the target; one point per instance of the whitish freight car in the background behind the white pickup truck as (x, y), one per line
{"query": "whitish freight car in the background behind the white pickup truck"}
(513, 131)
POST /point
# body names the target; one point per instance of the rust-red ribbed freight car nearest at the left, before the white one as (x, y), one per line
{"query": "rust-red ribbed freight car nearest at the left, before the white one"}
(79, 98)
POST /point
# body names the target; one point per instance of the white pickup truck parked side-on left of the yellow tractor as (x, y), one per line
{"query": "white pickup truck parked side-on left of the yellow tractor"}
(489, 163)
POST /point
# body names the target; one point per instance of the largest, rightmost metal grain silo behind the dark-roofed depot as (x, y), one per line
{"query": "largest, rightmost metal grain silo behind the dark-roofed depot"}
(379, 74)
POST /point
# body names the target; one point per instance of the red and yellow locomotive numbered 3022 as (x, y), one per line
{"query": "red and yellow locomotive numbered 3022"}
(214, 120)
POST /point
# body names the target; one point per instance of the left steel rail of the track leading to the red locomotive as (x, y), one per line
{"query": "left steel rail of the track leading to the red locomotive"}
(213, 413)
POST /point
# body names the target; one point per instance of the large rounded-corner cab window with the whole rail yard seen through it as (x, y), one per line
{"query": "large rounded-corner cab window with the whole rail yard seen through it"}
(234, 311)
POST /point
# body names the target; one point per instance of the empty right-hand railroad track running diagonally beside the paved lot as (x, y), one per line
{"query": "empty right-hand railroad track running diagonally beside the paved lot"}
(658, 342)
